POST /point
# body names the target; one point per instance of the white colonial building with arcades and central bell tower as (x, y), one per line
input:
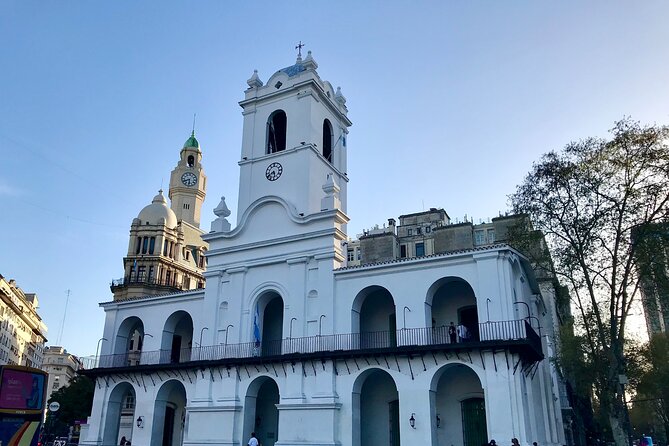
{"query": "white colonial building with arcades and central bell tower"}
(289, 342)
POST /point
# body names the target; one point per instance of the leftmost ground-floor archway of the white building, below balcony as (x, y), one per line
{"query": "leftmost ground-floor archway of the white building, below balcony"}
(120, 414)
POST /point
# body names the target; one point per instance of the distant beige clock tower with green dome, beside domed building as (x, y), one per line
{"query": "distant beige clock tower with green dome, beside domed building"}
(188, 184)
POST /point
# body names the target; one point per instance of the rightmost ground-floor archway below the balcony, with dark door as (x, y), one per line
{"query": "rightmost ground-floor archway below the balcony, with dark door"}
(457, 399)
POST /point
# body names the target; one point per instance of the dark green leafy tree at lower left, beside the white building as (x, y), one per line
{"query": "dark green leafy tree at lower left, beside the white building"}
(76, 402)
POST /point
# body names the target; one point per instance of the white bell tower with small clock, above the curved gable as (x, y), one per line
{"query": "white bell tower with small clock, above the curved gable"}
(294, 140)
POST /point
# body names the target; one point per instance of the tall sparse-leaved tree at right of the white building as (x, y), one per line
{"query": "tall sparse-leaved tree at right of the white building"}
(588, 201)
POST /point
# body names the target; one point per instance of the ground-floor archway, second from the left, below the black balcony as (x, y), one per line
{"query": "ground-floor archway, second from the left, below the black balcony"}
(169, 415)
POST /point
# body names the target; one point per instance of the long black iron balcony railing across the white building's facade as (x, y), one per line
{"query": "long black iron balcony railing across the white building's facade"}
(497, 334)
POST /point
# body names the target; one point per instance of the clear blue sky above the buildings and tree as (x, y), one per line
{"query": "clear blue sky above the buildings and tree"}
(451, 102)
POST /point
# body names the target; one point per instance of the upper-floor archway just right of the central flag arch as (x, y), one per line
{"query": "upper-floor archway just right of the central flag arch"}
(374, 317)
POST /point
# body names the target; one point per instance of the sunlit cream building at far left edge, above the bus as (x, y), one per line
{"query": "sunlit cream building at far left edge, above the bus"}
(22, 331)
